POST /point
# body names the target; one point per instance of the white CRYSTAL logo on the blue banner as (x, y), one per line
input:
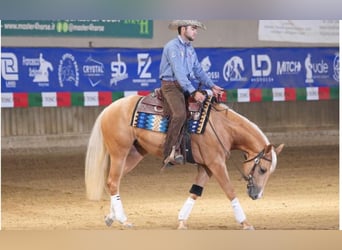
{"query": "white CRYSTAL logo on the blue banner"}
(93, 70)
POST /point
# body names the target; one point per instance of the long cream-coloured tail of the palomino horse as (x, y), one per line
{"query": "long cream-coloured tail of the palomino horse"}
(96, 162)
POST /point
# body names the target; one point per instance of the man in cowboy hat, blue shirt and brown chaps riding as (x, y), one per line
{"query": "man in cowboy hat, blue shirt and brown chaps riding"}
(179, 66)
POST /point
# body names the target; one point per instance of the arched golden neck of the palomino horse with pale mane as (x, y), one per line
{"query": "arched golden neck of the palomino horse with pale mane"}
(246, 135)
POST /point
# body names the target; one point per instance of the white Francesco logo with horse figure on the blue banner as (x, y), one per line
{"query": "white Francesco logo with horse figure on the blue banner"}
(39, 69)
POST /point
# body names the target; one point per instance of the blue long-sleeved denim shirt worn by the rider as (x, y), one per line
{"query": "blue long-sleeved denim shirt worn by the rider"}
(179, 62)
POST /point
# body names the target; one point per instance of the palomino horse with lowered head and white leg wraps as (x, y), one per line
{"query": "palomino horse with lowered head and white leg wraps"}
(115, 148)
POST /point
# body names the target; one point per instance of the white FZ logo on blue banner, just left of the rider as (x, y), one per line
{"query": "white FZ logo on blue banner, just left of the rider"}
(144, 64)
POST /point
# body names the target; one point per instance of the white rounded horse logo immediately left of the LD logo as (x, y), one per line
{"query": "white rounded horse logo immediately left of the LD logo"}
(233, 68)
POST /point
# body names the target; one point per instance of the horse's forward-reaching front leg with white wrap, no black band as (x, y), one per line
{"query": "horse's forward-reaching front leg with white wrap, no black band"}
(221, 174)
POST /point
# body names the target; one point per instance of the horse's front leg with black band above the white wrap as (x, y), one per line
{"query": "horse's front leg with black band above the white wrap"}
(203, 176)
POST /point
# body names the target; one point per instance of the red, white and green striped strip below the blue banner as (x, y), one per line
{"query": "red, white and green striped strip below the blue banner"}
(67, 99)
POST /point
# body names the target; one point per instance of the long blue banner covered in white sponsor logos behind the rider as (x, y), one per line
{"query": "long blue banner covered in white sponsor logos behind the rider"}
(102, 69)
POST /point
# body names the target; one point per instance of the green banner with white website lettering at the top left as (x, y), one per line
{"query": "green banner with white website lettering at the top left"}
(83, 28)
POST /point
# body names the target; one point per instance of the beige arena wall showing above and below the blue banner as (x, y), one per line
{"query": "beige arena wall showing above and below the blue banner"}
(63, 126)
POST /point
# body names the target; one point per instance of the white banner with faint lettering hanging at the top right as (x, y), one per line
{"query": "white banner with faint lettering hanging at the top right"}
(305, 31)
